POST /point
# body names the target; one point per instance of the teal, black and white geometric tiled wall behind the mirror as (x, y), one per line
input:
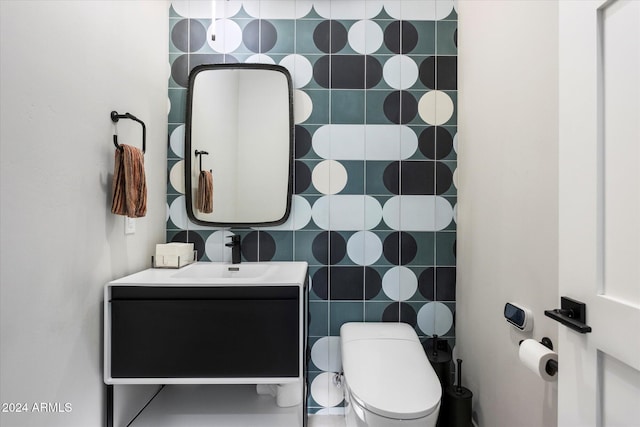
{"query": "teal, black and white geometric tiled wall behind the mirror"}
(375, 157)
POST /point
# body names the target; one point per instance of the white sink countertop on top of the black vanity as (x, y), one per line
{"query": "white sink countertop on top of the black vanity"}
(270, 273)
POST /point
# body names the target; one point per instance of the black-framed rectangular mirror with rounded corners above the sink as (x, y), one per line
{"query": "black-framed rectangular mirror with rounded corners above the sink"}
(239, 128)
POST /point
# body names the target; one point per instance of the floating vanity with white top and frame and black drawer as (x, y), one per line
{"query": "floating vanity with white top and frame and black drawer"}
(236, 328)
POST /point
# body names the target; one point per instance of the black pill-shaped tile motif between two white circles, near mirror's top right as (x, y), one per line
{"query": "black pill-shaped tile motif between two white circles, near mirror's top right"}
(347, 71)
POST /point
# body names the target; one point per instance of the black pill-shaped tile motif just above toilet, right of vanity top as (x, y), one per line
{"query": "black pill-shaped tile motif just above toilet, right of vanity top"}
(347, 283)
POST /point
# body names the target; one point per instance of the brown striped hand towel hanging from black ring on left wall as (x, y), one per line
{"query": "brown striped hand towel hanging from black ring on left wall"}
(129, 183)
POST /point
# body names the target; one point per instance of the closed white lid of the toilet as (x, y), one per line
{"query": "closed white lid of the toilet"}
(391, 377)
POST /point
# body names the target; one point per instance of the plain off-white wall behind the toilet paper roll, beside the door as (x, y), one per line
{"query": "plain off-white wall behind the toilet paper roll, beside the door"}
(507, 209)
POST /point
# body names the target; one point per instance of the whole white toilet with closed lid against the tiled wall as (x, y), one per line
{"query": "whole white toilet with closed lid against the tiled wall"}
(387, 377)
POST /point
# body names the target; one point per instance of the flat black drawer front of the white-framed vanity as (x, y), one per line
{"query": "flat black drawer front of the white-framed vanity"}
(205, 332)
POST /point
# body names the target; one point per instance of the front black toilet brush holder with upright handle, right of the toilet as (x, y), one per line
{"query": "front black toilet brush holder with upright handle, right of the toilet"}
(456, 409)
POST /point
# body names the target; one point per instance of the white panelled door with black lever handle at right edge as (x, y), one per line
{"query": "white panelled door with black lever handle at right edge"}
(599, 372)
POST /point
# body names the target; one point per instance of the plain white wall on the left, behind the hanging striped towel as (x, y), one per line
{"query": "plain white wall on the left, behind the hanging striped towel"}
(64, 66)
